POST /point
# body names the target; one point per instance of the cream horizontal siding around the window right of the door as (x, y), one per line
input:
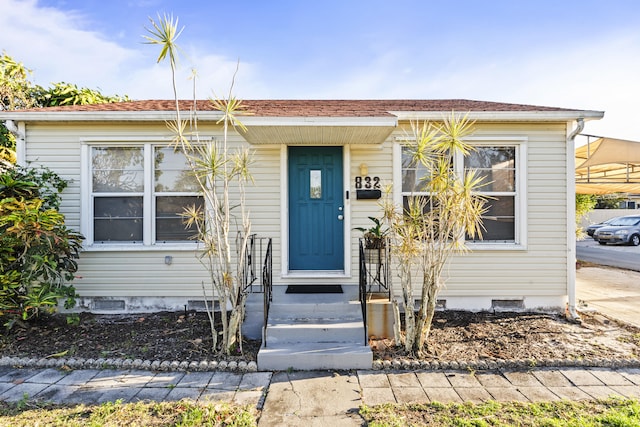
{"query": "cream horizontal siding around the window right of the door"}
(540, 269)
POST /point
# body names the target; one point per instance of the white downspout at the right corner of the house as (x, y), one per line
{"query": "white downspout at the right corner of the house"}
(571, 312)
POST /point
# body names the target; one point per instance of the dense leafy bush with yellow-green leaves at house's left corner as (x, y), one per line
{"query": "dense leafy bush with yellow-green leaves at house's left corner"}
(37, 251)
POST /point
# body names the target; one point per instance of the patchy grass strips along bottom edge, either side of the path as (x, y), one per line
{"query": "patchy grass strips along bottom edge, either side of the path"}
(601, 413)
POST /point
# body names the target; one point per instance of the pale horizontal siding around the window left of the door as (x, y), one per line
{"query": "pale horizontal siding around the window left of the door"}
(114, 273)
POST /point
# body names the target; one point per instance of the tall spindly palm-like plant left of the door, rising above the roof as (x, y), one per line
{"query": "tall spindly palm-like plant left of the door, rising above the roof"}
(222, 231)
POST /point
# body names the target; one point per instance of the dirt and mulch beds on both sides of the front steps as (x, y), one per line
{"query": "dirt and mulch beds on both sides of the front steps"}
(455, 336)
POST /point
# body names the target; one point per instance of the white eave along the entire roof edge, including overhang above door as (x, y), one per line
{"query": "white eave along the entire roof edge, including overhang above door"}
(321, 130)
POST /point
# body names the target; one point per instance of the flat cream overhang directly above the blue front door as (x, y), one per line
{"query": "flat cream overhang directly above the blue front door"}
(318, 130)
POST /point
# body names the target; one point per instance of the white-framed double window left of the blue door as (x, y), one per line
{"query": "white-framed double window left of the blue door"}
(138, 194)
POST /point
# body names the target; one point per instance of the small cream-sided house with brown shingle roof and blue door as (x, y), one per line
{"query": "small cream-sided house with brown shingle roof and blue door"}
(126, 190)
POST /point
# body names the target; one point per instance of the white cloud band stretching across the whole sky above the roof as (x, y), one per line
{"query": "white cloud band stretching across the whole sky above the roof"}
(580, 72)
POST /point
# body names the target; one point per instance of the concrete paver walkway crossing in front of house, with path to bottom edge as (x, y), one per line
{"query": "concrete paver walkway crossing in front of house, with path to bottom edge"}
(316, 398)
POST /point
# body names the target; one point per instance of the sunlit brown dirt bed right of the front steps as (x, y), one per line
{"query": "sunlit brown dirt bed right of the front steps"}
(464, 336)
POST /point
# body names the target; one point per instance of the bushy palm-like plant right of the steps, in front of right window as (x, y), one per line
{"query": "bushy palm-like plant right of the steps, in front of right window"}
(431, 226)
